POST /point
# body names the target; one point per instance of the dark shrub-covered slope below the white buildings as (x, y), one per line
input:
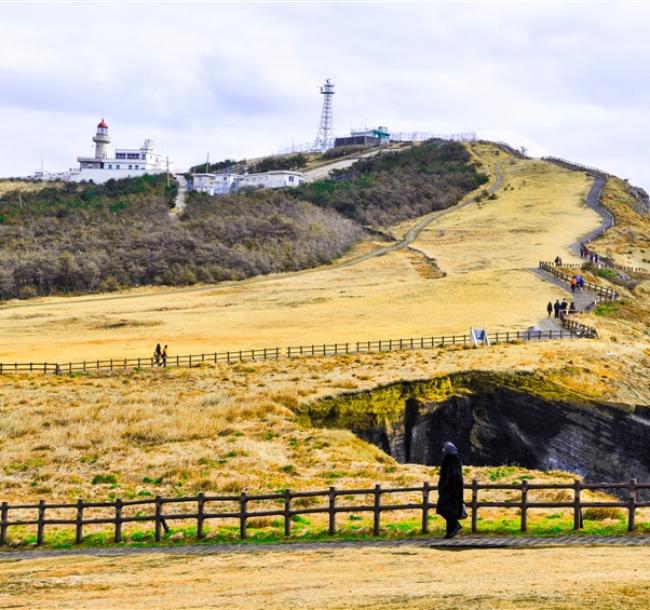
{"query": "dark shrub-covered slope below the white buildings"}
(120, 235)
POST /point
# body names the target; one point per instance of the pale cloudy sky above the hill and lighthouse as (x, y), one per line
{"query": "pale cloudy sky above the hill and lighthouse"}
(240, 80)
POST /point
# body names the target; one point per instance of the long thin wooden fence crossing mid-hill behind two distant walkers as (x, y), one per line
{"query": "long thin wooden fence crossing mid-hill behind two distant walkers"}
(275, 353)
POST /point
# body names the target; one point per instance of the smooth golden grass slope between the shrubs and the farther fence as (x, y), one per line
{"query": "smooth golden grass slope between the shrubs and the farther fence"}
(484, 248)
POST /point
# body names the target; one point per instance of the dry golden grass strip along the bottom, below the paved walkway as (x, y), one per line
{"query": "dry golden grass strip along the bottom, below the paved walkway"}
(413, 578)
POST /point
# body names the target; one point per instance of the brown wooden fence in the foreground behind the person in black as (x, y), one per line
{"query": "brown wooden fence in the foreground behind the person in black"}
(330, 502)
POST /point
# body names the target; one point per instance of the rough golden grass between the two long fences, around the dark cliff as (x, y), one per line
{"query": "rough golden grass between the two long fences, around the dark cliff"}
(230, 427)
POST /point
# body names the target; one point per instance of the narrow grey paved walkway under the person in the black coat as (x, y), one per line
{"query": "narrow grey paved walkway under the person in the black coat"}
(462, 542)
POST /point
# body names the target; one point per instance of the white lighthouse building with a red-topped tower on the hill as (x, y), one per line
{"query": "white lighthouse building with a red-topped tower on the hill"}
(125, 163)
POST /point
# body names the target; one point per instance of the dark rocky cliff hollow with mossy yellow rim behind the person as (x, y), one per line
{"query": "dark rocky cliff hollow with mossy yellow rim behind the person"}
(511, 419)
